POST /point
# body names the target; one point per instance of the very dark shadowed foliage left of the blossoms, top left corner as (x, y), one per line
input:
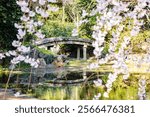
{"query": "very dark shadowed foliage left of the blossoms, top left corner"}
(9, 14)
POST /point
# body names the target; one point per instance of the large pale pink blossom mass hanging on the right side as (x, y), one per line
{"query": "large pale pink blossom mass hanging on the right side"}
(111, 21)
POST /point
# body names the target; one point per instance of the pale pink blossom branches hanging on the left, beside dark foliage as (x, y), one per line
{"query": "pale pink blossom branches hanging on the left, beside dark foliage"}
(30, 24)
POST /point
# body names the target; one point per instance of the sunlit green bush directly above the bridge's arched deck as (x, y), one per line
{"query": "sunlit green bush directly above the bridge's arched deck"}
(57, 29)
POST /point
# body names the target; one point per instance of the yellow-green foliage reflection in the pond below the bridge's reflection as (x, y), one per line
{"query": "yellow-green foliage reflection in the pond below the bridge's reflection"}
(68, 92)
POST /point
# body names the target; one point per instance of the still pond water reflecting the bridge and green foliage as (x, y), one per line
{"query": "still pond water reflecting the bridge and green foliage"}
(73, 85)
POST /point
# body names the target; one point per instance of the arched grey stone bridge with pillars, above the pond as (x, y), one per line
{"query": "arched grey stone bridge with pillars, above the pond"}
(53, 42)
